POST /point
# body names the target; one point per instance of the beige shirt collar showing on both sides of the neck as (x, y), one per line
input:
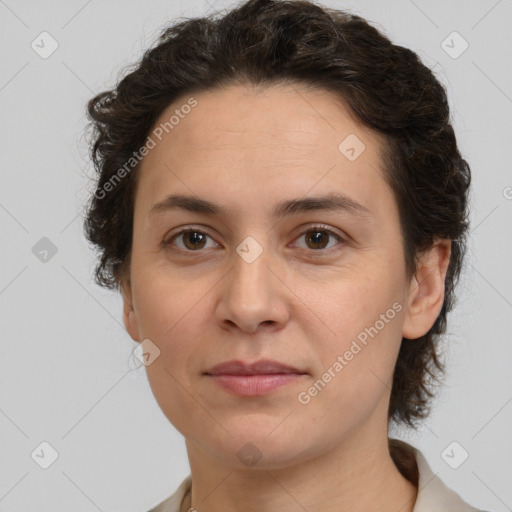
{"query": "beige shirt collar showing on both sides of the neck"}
(433, 495)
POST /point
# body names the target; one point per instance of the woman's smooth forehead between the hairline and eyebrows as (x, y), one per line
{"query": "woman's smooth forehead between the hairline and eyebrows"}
(279, 141)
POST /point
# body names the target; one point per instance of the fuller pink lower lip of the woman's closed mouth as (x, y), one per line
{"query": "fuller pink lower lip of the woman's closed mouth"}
(255, 385)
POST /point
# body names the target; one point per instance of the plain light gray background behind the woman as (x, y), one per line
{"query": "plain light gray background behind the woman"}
(66, 375)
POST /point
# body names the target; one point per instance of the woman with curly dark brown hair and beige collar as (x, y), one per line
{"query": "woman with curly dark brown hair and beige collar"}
(282, 204)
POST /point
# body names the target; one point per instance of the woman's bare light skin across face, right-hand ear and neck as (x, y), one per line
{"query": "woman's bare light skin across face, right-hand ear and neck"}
(247, 149)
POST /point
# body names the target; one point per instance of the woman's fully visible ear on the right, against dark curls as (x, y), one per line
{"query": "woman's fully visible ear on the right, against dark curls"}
(426, 290)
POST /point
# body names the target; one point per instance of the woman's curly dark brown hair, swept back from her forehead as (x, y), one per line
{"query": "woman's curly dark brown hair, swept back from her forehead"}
(264, 42)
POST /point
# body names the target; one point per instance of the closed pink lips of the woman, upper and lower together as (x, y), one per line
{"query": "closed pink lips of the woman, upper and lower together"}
(254, 379)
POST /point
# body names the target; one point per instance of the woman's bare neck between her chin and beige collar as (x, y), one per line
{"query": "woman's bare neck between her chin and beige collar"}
(353, 477)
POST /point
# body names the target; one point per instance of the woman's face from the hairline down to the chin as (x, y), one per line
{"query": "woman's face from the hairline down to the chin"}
(331, 301)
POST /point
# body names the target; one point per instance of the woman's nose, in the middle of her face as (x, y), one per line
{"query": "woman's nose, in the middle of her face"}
(254, 294)
